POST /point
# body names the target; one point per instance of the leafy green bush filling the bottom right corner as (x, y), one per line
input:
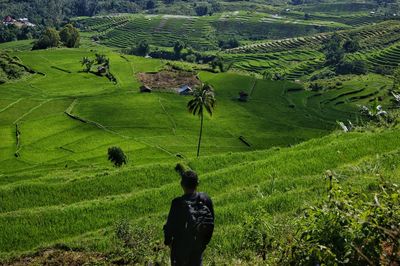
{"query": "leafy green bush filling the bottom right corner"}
(349, 228)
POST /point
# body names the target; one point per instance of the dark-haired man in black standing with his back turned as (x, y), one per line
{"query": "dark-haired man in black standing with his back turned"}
(190, 223)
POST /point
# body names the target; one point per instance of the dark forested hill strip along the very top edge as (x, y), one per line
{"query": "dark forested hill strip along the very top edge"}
(51, 12)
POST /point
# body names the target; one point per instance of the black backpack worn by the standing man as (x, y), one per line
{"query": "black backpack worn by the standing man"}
(200, 220)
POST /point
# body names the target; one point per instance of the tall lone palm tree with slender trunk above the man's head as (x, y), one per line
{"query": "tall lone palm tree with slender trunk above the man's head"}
(203, 99)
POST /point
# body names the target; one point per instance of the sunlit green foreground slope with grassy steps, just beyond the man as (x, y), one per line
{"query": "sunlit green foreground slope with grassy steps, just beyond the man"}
(47, 208)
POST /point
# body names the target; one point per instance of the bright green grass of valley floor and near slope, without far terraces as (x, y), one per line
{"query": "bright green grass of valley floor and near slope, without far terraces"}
(62, 189)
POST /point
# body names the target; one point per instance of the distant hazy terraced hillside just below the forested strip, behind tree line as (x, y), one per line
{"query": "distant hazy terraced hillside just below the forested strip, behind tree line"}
(201, 33)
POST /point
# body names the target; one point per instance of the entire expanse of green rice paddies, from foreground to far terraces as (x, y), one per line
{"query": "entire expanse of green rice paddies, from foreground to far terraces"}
(59, 193)
